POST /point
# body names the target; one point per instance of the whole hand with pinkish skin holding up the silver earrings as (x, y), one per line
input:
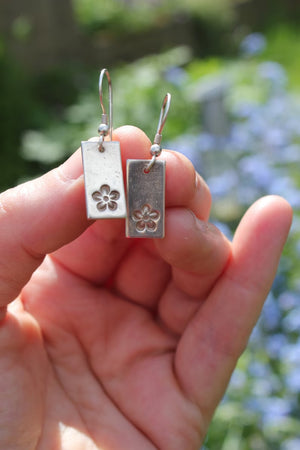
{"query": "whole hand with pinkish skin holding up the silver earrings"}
(115, 343)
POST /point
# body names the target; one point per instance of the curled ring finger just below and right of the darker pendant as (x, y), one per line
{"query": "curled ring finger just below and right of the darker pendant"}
(198, 254)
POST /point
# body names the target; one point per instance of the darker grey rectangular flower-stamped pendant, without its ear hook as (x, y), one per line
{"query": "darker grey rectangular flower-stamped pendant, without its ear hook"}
(145, 199)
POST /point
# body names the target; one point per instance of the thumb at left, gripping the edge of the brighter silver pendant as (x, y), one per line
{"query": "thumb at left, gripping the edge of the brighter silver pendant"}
(36, 218)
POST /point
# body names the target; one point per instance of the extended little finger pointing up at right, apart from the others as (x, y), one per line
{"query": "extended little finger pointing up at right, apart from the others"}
(218, 333)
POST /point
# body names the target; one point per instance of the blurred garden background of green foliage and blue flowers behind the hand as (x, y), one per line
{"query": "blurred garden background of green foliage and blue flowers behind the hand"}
(233, 69)
